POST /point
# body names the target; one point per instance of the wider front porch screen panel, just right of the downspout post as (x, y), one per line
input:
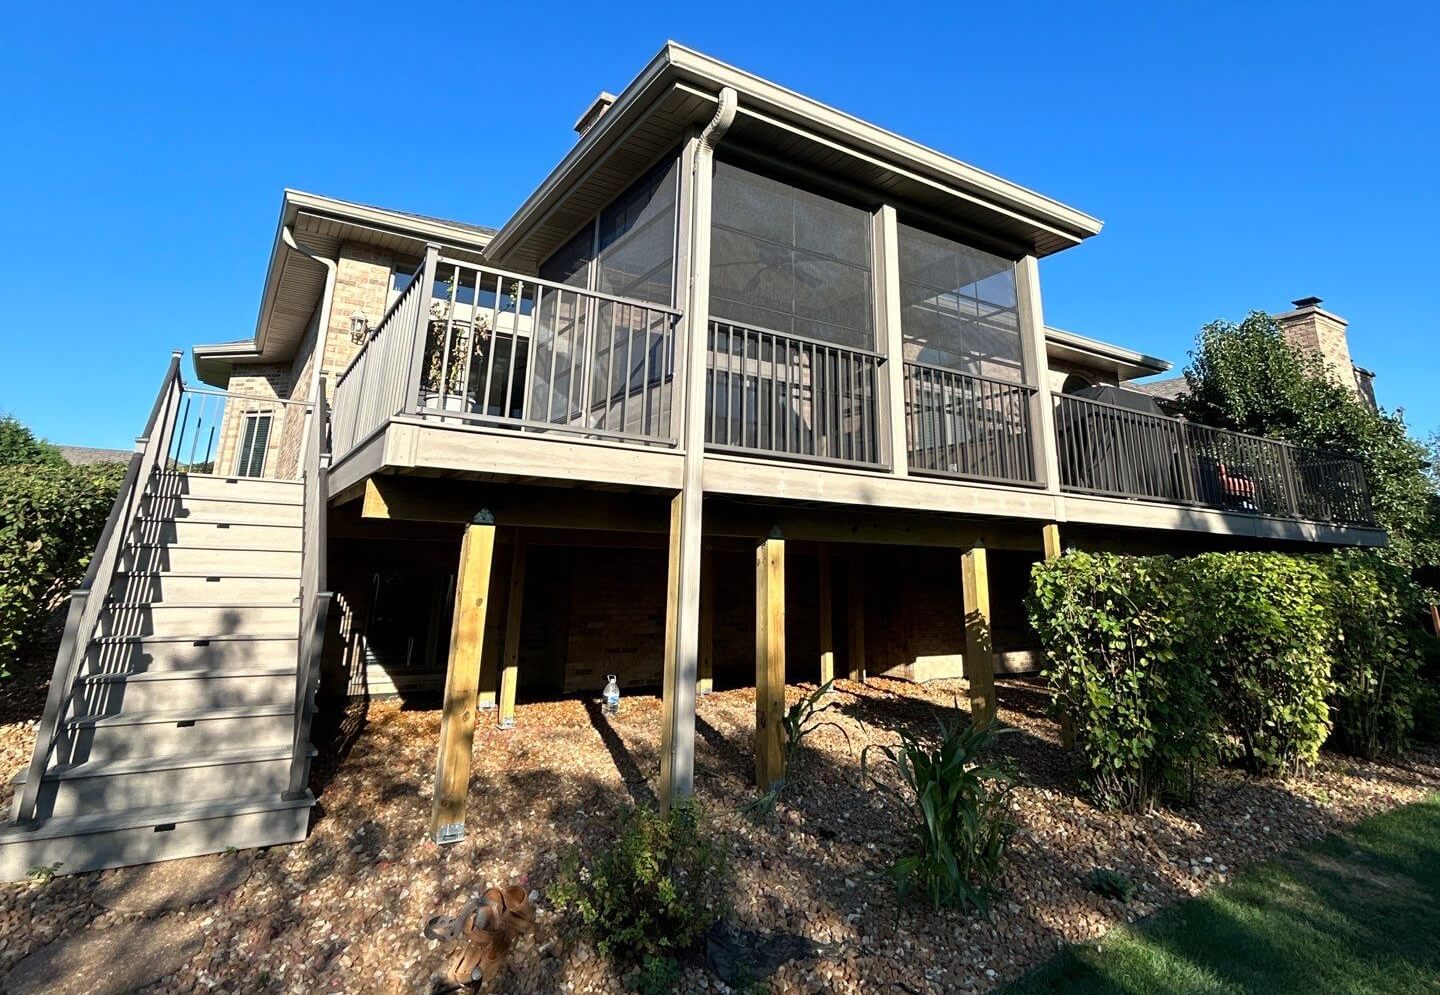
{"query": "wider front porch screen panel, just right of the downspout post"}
(791, 261)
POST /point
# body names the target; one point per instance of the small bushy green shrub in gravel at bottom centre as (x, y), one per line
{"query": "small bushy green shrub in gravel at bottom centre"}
(653, 892)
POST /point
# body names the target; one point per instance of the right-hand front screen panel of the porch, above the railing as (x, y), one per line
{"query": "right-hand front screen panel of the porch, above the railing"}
(958, 307)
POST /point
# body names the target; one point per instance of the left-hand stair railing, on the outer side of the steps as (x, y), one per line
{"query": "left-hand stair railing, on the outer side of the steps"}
(89, 600)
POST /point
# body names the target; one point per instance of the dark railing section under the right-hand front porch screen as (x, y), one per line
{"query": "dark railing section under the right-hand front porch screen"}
(968, 427)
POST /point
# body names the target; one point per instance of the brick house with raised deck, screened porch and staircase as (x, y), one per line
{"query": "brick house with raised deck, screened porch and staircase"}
(747, 392)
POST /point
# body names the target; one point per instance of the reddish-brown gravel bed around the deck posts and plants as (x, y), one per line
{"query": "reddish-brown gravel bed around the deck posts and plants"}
(343, 911)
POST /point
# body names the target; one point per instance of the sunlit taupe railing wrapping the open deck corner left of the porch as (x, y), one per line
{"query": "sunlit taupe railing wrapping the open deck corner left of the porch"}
(473, 345)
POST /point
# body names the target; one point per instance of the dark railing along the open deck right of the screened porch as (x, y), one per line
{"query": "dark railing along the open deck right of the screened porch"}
(1120, 453)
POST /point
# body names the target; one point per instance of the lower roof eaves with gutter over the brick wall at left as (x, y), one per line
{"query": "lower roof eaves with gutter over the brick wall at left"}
(294, 283)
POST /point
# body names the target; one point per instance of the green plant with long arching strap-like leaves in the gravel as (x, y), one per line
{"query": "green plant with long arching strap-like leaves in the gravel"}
(961, 810)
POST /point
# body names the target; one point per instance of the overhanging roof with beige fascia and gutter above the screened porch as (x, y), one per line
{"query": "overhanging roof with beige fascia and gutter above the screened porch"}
(679, 90)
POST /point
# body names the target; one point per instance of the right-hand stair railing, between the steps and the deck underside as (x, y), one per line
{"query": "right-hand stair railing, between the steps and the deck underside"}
(315, 598)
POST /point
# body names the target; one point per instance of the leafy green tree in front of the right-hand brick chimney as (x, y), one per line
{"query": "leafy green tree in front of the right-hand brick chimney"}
(1249, 379)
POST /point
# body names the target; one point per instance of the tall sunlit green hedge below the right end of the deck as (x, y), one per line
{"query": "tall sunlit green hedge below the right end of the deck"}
(1166, 666)
